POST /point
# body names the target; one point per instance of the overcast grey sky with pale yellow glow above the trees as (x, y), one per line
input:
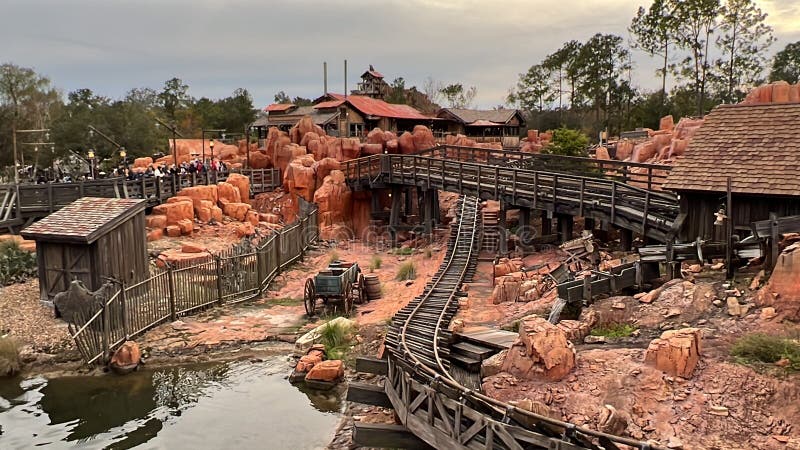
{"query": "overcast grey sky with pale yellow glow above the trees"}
(216, 46)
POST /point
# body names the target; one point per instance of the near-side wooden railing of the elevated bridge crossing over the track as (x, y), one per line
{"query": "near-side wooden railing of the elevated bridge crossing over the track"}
(650, 213)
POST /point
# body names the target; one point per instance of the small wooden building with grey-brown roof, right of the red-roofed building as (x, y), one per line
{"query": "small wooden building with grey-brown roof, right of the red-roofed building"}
(482, 123)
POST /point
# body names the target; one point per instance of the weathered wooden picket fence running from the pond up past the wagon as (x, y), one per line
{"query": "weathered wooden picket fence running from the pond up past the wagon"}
(239, 274)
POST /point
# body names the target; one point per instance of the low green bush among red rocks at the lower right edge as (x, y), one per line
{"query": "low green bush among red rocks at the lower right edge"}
(759, 348)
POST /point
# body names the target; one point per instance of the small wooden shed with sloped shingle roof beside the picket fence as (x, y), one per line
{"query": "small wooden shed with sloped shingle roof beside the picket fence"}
(91, 239)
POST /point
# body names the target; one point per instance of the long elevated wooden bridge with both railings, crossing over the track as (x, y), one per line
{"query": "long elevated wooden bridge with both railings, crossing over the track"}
(595, 192)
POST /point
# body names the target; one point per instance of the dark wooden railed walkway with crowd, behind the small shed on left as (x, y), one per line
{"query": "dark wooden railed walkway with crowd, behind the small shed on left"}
(21, 204)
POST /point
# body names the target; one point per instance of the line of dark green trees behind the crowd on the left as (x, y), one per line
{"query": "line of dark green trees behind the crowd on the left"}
(29, 101)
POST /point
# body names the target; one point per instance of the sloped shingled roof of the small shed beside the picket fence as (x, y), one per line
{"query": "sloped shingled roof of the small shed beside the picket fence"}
(85, 220)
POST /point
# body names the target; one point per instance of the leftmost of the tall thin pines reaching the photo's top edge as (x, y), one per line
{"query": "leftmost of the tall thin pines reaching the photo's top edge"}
(653, 31)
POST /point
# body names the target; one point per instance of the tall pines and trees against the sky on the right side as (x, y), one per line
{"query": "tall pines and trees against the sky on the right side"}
(709, 51)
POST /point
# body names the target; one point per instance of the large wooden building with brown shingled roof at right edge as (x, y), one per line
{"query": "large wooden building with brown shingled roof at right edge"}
(758, 147)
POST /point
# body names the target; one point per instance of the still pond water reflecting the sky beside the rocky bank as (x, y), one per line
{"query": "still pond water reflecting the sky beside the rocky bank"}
(238, 405)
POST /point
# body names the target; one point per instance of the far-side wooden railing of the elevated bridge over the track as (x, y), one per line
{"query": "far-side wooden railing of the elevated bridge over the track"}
(648, 176)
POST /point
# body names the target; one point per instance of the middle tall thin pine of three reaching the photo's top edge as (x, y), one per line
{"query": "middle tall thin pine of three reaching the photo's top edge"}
(695, 21)
